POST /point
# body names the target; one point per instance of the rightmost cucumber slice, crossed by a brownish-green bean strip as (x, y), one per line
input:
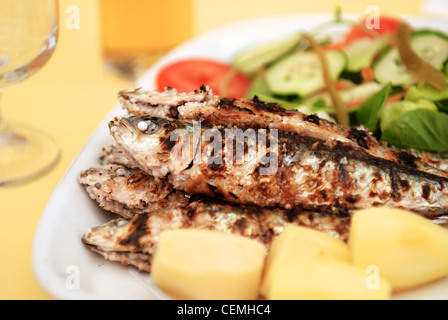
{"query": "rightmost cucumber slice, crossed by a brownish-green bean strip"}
(431, 47)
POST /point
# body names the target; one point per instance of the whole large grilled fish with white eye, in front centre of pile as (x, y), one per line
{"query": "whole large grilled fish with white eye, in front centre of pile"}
(311, 173)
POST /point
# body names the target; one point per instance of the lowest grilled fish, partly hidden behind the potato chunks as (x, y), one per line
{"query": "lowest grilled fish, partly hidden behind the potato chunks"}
(134, 241)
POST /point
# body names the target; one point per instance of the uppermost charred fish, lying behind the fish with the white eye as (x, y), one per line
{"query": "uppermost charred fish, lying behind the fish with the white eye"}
(202, 105)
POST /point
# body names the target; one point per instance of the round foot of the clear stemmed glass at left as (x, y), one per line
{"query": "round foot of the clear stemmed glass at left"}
(25, 153)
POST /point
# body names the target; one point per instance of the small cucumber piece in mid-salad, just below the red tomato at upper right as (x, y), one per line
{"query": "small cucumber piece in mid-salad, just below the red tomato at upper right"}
(361, 52)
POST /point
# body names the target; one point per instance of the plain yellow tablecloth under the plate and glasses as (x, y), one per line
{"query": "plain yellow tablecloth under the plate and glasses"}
(72, 94)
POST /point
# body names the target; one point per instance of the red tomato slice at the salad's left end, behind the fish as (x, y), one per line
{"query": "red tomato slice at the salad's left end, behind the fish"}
(189, 74)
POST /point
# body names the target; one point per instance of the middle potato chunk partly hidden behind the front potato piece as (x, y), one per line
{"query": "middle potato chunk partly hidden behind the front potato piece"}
(296, 241)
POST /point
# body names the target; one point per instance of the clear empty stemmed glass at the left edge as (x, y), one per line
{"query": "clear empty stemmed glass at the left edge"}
(28, 38)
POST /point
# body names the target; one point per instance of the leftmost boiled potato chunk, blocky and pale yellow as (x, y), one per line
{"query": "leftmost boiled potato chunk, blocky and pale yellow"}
(208, 265)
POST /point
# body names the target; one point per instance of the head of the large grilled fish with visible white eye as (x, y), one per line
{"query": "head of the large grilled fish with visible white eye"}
(156, 145)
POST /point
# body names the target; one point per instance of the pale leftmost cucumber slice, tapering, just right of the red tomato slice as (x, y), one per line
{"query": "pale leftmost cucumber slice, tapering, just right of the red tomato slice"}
(250, 60)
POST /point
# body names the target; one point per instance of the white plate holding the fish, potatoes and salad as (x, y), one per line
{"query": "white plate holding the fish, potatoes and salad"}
(63, 266)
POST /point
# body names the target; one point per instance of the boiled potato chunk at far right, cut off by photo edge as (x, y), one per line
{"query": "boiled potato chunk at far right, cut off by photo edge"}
(408, 249)
